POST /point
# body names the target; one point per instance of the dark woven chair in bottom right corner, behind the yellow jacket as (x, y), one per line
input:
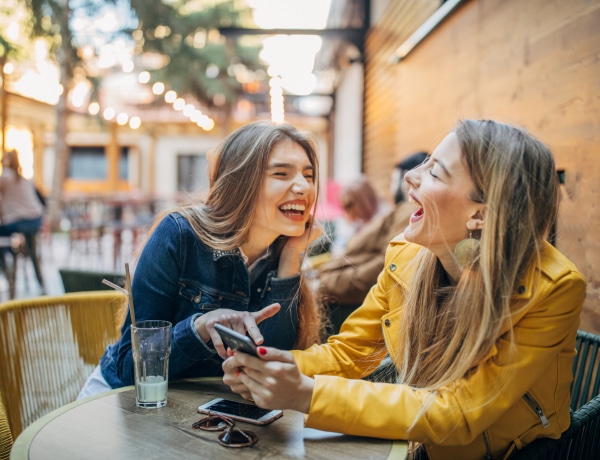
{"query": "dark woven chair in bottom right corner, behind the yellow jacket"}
(582, 440)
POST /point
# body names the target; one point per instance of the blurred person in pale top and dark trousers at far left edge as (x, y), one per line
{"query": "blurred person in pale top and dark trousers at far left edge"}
(21, 208)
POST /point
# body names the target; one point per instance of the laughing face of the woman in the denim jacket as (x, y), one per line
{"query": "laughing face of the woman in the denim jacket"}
(287, 195)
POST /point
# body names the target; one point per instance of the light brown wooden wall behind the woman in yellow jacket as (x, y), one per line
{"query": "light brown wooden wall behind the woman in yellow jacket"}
(534, 63)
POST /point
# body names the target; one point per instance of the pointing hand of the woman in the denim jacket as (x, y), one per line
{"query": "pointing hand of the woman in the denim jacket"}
(239, 321)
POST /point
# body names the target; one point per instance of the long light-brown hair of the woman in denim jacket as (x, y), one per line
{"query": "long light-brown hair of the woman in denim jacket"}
(223, 218)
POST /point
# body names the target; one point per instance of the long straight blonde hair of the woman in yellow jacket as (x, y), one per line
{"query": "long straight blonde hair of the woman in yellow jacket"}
(514, 175)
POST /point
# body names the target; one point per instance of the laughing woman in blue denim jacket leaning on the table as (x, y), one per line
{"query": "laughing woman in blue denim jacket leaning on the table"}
(234, 259)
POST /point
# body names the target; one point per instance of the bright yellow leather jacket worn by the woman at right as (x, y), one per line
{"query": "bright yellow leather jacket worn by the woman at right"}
(500, 407)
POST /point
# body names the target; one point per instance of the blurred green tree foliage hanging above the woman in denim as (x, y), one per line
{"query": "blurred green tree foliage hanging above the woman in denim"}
(186, 32)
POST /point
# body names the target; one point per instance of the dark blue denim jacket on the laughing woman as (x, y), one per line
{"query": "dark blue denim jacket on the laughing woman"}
(178, 278)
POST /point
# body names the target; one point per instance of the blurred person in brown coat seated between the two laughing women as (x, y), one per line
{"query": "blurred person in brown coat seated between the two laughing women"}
(344, 281)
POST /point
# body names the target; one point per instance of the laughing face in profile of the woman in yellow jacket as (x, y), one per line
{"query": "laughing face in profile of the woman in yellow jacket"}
(442, 188)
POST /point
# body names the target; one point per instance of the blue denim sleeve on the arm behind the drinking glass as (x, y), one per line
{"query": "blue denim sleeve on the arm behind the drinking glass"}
(155, 294)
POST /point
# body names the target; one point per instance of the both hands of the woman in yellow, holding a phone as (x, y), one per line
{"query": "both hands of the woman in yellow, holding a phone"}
(272, 381)
